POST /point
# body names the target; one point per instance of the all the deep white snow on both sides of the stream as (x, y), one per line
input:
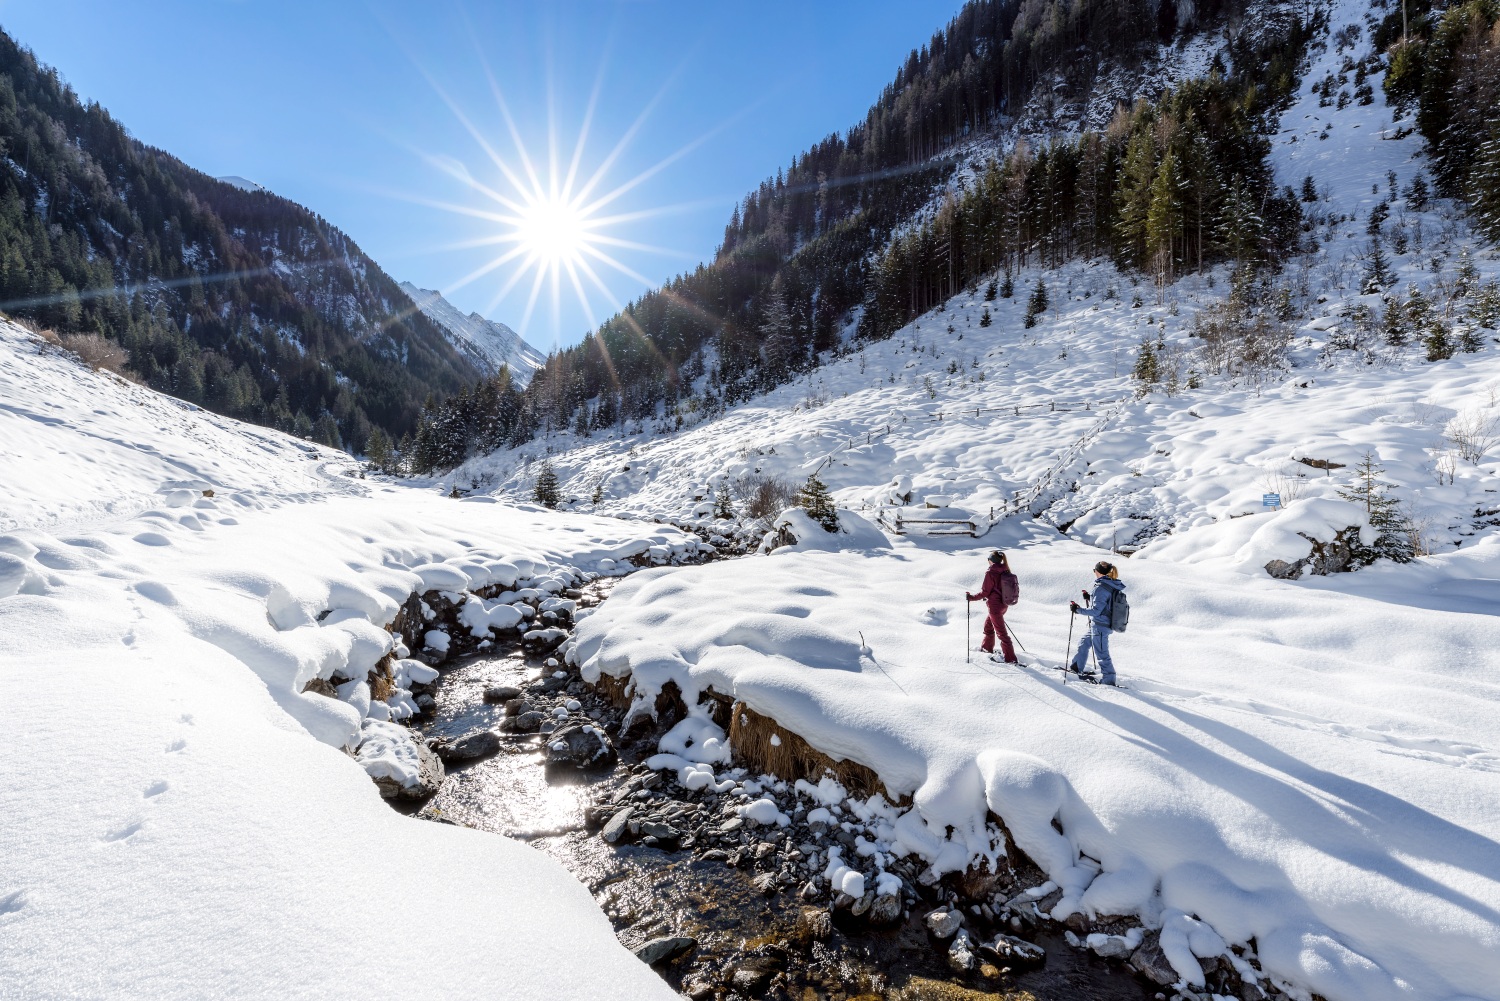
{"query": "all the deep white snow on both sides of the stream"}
(1307, 771)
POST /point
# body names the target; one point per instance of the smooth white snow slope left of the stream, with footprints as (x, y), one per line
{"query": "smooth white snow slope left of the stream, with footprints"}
(182, 819)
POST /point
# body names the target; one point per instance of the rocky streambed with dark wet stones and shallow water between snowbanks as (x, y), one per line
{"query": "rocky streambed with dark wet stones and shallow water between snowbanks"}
(727, 904)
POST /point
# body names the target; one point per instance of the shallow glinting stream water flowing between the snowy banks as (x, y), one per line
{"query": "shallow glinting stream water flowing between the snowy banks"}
(749, 943)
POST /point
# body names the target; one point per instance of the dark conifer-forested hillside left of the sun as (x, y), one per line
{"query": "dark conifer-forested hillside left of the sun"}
(239, 301)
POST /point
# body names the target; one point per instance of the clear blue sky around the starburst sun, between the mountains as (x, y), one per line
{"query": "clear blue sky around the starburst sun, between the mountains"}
(338, 107)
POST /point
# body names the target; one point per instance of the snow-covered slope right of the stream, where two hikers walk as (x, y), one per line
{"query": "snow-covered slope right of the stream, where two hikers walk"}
(1303, 771)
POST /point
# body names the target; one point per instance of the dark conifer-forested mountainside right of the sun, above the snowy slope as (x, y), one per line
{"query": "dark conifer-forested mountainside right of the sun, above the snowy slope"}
(850, 232)
